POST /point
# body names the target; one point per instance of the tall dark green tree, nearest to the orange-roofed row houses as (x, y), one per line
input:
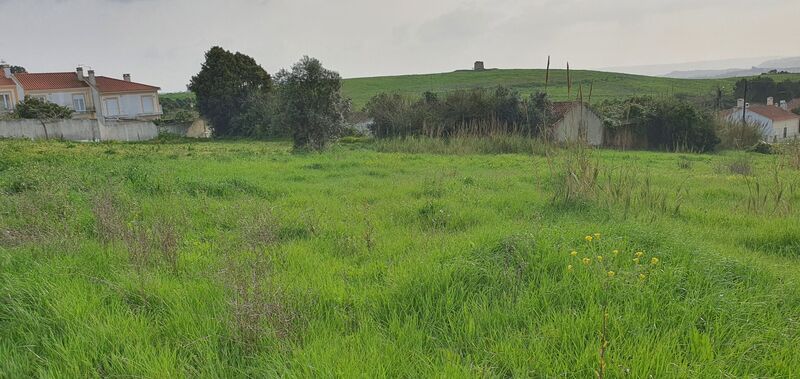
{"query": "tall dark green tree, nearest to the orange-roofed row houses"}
(223, 87)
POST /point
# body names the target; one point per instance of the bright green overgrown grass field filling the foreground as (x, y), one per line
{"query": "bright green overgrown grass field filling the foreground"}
(242, 259)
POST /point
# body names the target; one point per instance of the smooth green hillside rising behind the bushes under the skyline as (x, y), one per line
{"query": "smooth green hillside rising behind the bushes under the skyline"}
(605, 85)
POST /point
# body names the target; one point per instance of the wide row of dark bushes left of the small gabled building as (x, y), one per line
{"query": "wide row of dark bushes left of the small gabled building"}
(473, 112)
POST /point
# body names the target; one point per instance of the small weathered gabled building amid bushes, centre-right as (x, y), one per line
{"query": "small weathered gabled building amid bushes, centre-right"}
(575, 121)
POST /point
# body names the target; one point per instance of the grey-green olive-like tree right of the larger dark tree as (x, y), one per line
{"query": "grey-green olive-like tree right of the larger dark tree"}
(311, 103)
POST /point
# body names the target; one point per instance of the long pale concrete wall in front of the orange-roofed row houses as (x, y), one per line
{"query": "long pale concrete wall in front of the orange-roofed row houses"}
(79, 130)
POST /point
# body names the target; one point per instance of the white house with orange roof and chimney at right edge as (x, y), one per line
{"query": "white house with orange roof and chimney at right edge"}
(776, 121)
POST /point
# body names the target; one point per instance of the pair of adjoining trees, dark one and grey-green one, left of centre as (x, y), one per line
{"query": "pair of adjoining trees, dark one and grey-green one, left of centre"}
(241, 99)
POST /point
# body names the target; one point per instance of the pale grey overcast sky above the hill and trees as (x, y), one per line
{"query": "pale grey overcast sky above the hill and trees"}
(162, 42)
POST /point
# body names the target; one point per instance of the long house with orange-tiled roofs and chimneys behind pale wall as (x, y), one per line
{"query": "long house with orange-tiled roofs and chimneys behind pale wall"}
(89, 96)
